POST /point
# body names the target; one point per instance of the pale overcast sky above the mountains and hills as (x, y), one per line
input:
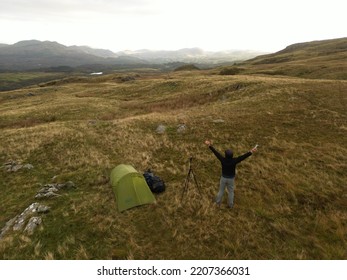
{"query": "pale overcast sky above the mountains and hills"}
(264, 25)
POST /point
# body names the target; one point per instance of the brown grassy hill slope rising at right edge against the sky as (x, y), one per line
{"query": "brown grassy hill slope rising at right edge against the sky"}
(318, 60)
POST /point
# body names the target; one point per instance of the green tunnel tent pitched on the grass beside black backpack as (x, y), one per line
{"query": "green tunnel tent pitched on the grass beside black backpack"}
(130, 187)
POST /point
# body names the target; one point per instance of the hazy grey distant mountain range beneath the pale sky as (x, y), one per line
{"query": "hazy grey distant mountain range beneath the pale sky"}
(34, 54)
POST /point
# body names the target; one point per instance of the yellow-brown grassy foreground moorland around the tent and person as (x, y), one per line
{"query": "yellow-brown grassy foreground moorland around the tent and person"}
(290, 197)
